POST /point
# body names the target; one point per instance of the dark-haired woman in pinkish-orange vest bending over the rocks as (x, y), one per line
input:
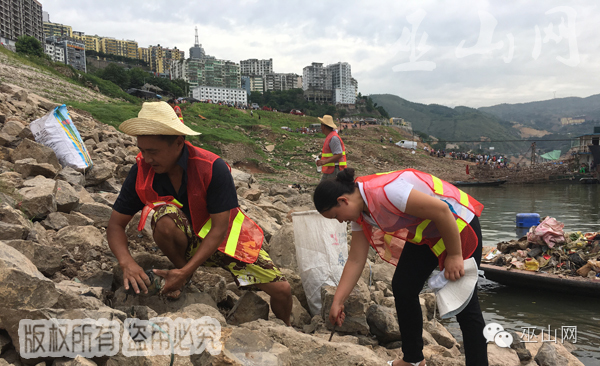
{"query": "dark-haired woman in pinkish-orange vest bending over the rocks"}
(396, 213)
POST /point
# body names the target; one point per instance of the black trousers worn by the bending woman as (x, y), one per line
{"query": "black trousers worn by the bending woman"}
(414, 267)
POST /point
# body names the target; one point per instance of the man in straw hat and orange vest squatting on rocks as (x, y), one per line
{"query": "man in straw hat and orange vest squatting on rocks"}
(196, 220)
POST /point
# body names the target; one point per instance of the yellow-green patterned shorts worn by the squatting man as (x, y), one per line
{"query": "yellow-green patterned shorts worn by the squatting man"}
(245, 274)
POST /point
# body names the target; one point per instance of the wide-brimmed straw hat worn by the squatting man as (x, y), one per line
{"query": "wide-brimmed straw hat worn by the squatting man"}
(156, 118)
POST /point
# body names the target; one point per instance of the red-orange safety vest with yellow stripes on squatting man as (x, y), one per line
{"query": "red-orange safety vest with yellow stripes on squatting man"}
(244, 237)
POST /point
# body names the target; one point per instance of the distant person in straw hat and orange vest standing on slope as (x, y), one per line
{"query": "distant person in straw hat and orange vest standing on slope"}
(333, 155)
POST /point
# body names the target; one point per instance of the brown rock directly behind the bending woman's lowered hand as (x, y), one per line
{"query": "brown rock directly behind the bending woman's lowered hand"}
(355, 308)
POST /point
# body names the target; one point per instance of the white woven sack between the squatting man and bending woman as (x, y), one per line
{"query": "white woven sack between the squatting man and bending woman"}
(321, 251)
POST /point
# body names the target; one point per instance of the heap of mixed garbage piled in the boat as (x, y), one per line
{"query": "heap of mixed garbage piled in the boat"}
(547, 248)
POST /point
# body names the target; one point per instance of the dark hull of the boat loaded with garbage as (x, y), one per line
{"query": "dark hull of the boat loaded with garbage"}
(575, 285)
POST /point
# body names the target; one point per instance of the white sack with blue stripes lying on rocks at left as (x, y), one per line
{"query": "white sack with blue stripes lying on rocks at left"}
(57, 131)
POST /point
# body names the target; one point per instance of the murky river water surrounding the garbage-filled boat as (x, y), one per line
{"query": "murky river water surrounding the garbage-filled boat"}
(578, 207)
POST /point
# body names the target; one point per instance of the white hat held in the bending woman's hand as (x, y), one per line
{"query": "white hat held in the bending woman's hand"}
(454, 296)
